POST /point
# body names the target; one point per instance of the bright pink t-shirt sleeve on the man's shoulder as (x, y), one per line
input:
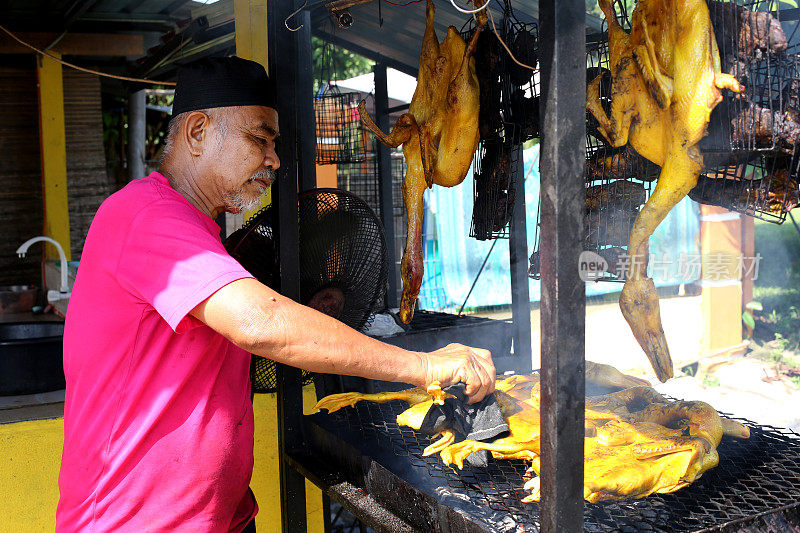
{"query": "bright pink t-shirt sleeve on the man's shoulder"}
(172, 260)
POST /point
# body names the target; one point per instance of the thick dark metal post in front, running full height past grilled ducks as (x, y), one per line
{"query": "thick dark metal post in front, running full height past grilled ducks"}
(563, 60)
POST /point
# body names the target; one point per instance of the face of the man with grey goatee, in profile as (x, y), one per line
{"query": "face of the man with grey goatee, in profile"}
(245, 162)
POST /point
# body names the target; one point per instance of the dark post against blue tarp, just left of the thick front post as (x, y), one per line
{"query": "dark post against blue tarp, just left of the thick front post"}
(518, 255)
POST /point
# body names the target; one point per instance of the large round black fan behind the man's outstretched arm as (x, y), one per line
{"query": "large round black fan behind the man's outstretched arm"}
(343, 270)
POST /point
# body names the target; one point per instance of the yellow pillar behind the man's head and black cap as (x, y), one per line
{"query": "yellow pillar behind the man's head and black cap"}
(250, 22)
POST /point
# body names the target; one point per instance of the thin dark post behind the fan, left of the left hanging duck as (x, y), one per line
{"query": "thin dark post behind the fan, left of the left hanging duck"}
(385, 180)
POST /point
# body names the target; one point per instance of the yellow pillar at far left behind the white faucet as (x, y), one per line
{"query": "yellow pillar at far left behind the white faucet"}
(52, 137)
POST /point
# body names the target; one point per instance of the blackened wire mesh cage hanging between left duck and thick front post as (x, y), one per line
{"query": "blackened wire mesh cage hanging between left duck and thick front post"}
(509, 116)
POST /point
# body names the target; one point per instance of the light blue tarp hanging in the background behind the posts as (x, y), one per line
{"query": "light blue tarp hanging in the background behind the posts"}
(452, 259)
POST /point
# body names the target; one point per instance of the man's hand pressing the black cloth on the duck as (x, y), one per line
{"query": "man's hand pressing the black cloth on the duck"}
(458, 363)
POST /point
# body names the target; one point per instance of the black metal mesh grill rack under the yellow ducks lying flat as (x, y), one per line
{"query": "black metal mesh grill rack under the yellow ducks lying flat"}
(756, 480)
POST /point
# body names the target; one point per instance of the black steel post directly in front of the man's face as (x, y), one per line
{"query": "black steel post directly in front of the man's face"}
(287, 75)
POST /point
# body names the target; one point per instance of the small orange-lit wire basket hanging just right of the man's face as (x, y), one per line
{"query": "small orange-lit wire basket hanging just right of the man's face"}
(341, 138)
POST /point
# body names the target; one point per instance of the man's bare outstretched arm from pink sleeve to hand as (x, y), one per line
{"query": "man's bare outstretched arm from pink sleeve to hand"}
(261, 321)
